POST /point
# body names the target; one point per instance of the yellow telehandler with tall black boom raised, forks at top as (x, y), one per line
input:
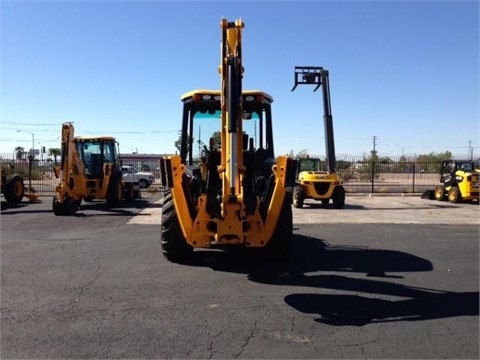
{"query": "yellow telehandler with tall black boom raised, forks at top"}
(312, 182)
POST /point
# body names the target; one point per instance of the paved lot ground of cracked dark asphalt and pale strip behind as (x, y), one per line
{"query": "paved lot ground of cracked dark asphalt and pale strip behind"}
(385, 277)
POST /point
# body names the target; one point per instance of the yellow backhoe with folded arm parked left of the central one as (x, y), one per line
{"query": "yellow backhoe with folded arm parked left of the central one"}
(89, 170)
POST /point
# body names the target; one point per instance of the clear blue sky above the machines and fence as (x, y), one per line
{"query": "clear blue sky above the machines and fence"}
(406, 72)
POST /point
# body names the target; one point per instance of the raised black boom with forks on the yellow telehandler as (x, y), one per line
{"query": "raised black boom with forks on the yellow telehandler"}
(316, 75)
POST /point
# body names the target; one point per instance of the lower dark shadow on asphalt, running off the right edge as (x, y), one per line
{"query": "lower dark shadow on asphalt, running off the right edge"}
(356, 310)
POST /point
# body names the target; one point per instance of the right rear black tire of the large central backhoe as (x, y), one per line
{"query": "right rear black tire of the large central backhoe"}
(280, 246)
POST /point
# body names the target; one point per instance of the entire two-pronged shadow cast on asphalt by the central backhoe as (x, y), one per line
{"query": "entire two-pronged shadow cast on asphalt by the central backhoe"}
(317, 265)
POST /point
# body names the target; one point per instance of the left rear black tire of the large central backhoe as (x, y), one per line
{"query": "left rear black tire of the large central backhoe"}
(174, 245)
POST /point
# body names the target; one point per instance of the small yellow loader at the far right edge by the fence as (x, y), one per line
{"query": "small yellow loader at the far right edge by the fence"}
(460, 182)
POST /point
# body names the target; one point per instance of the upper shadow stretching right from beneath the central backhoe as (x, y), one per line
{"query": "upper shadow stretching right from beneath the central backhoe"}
(311, 255)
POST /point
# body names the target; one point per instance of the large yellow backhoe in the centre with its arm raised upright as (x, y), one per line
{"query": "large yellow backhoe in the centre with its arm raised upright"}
(235, 194)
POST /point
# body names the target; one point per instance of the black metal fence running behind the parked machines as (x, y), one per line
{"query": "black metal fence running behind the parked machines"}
(359, 174)
